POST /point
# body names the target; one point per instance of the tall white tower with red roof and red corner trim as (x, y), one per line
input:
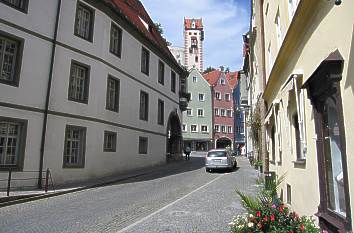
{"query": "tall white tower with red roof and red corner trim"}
(193, 43)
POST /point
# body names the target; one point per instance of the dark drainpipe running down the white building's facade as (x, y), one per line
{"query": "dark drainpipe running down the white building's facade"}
(45, 119)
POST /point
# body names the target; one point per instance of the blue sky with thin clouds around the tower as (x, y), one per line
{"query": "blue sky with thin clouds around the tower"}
(224, 23)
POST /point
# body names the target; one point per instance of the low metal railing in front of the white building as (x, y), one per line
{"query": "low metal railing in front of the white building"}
(8, 184)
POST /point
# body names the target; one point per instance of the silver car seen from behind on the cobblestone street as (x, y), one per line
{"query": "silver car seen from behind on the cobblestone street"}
(220, 159)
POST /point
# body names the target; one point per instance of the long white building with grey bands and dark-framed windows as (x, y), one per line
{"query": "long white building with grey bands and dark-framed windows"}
(100, 96)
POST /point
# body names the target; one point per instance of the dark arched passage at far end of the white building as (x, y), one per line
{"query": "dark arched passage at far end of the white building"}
(174, 137)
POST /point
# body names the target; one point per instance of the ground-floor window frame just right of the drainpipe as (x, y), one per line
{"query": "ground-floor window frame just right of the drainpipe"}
(83, 133)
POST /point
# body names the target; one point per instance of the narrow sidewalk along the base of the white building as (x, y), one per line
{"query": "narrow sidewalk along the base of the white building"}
(17, 197)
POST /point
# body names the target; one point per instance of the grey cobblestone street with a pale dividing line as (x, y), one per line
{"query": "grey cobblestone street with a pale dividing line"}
(180, 197)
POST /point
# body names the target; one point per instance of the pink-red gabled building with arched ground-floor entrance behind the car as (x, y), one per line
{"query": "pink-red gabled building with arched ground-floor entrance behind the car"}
(222, 105)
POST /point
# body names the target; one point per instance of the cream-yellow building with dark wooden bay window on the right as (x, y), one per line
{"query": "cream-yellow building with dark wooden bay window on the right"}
(309, 96)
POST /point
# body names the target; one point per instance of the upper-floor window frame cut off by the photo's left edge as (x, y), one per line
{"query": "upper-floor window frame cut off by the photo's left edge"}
(18, 59)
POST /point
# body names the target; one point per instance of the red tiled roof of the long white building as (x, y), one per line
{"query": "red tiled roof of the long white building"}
(131, 10)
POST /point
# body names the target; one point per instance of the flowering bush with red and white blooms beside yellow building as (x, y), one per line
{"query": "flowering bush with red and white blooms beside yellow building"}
(267, 213)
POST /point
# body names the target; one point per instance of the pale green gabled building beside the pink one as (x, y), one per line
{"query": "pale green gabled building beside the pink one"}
(197, 120)
